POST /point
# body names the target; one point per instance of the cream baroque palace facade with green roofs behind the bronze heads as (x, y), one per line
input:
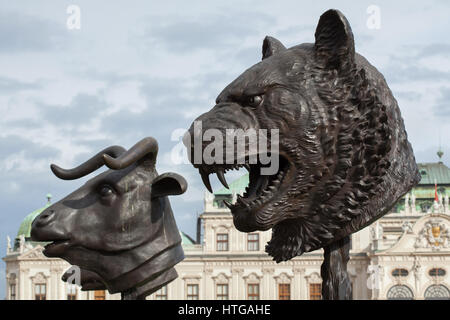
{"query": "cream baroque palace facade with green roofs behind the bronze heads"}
(404, 255)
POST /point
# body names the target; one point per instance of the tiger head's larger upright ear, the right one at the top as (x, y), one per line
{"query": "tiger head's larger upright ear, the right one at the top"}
(335, 45)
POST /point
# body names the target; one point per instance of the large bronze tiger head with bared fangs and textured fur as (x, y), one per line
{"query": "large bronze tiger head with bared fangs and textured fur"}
(343, 153)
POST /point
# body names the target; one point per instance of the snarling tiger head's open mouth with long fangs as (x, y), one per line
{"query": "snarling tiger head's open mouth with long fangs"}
(262, 190)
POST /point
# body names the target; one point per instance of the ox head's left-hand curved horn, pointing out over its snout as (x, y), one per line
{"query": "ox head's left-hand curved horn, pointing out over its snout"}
(87, 167)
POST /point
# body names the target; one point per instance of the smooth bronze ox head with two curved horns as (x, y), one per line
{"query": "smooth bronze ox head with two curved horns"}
(118, 227)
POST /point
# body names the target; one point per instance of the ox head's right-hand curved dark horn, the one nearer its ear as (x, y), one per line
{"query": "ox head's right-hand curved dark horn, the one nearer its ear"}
(135, 153)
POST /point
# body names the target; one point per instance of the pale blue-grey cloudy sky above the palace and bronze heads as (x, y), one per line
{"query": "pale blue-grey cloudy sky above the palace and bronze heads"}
(141, 68)
